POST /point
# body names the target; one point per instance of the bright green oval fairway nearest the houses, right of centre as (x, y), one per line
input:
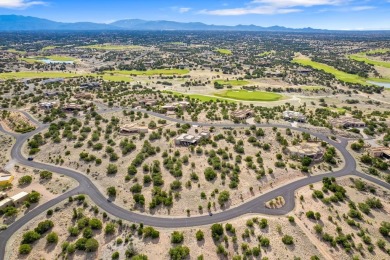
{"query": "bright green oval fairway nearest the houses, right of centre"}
(250, 95)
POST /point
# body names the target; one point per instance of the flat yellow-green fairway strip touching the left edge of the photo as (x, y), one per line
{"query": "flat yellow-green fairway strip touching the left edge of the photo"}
(33, 74)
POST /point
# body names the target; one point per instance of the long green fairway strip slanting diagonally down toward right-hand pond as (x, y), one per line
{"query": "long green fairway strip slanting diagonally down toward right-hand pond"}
(340, 75)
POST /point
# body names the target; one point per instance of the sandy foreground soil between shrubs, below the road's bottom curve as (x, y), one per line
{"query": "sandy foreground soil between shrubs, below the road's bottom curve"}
(159, 248)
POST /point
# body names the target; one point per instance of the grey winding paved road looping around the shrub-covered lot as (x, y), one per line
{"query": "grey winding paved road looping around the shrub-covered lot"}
(256, 205)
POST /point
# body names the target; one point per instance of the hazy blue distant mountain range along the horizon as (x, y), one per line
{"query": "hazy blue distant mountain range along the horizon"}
(28, 23)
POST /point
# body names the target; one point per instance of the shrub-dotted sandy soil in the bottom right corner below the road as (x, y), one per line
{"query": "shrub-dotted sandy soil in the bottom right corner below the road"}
(336, 211)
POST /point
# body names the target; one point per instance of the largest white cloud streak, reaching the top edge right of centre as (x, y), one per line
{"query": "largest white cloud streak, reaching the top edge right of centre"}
(274, 7)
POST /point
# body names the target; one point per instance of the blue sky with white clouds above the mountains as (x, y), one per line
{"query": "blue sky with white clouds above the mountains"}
(326, 14)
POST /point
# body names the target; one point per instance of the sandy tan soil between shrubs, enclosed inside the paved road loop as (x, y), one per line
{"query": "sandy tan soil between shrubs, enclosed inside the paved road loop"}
(248, 177)
